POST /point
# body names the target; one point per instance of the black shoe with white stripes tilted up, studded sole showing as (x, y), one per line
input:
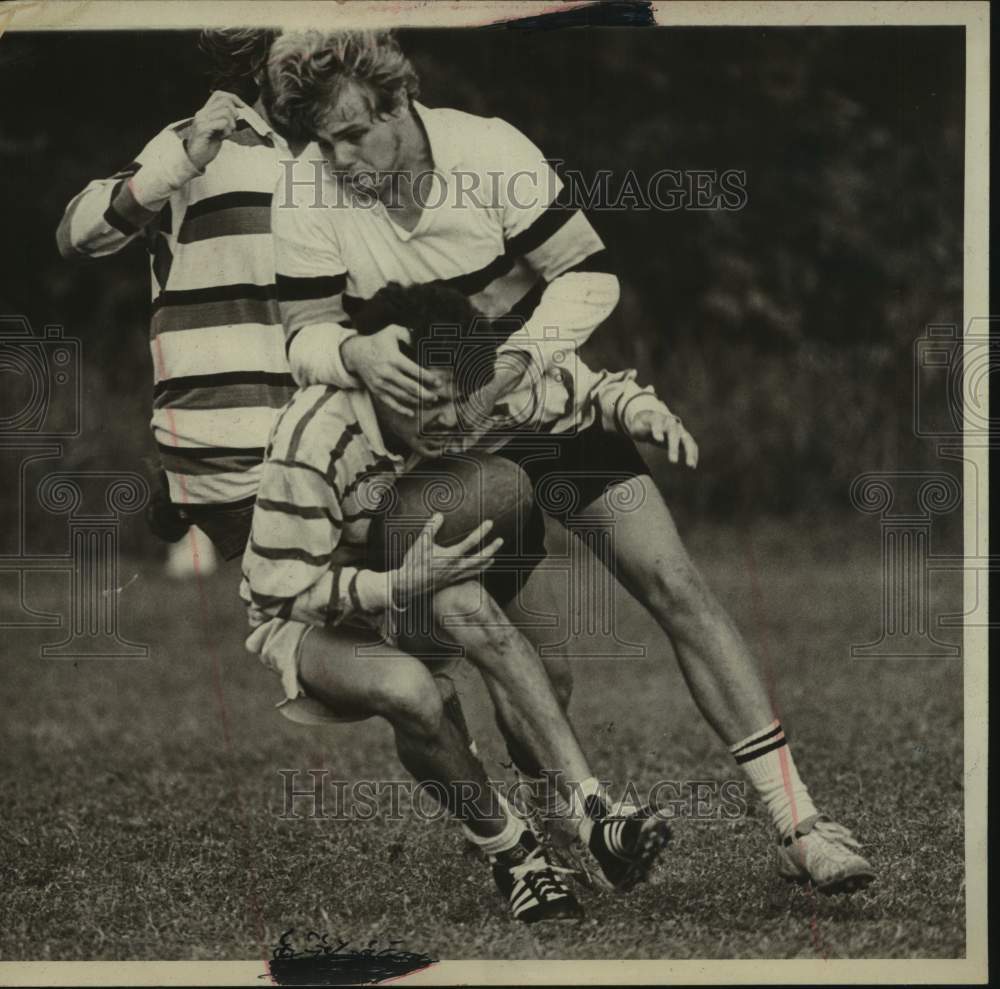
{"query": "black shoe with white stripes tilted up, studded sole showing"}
(623, 844)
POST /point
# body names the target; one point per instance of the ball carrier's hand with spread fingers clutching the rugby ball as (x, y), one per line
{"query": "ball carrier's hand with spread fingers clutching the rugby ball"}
(429, 567)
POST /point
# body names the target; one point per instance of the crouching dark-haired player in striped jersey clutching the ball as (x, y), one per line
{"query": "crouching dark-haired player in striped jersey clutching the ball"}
(322, 620)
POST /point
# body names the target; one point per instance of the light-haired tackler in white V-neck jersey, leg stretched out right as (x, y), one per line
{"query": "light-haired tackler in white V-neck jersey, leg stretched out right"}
(395, 191)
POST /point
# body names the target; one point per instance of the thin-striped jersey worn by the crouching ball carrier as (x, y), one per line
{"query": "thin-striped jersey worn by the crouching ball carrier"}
(325, 469)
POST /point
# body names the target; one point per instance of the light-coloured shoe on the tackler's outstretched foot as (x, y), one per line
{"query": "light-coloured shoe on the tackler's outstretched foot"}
(824, 854)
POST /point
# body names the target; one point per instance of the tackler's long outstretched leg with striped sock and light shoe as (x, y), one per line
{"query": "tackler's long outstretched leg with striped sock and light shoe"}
(726, 684)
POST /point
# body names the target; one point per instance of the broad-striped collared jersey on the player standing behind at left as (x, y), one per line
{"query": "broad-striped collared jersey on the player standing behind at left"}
(219, 364)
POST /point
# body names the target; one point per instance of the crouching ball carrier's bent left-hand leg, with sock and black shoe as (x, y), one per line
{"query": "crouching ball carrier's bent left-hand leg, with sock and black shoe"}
(334, 669)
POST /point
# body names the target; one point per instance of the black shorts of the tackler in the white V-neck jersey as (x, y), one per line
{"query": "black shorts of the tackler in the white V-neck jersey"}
(570, 471)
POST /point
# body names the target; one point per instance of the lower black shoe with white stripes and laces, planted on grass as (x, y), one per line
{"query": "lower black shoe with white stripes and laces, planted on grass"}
(533, 886)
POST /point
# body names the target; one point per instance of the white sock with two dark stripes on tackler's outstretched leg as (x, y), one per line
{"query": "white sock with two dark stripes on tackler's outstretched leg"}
(767, 761)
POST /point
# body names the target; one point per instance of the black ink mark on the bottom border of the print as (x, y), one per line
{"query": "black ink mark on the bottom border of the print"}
(316, 962)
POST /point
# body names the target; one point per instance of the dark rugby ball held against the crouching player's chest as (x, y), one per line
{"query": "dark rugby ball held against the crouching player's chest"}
(467, 490)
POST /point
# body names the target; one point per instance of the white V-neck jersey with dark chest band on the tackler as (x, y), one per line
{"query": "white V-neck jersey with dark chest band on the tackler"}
(494, 228)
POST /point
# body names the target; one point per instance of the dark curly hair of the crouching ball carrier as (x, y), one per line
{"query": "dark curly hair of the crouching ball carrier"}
(433, 311)
